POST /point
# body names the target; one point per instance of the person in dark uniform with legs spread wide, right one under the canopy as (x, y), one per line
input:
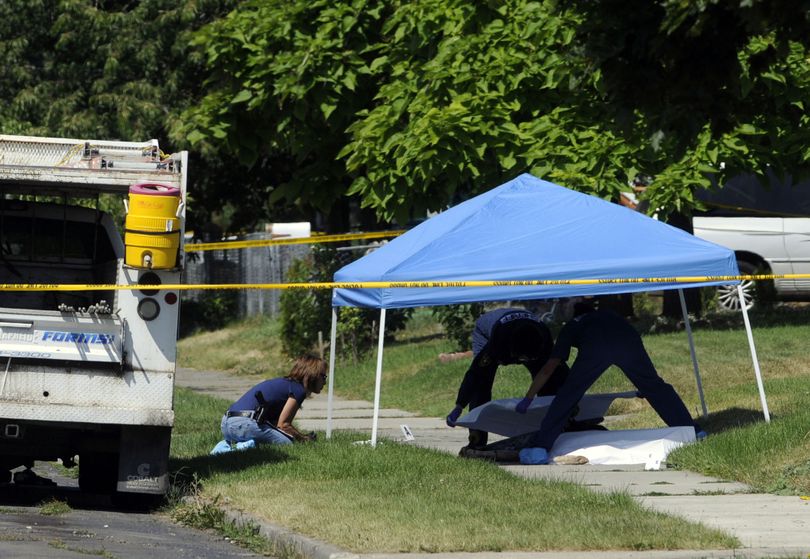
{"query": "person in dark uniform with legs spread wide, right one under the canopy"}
(602, 338)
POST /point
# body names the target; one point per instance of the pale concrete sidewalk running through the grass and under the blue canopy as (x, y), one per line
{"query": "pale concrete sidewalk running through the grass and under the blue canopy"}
(767, 525)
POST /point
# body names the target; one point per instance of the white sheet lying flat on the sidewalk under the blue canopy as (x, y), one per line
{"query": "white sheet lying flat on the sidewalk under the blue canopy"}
(638, 446)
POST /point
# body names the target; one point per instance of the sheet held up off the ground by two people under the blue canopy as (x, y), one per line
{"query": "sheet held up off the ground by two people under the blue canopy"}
(499, 416)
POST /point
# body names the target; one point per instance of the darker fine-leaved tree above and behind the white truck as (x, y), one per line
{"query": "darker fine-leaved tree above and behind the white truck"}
(108, 69)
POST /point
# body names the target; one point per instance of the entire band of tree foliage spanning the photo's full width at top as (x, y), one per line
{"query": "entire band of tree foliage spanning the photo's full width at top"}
(412, 106)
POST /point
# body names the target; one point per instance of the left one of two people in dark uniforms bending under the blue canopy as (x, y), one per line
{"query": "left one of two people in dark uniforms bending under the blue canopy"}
(503, 337)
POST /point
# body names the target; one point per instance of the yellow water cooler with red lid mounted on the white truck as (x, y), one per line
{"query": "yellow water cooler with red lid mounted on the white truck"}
(152, 228)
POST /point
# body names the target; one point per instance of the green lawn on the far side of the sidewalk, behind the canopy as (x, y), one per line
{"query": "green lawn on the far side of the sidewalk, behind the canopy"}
(770, 457)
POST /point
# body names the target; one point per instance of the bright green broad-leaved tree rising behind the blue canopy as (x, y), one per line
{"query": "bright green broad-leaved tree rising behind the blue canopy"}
(412, 105)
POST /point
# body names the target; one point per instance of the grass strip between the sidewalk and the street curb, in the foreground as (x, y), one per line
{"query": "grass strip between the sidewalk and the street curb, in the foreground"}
(399, 498)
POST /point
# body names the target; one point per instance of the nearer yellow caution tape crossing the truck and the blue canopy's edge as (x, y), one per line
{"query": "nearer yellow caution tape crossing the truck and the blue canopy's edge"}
(390, 284)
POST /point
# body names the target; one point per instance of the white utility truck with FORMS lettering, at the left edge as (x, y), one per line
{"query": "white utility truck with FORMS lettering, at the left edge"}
(85, 373)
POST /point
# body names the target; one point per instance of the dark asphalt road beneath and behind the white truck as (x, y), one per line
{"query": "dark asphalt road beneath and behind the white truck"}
(95, 528)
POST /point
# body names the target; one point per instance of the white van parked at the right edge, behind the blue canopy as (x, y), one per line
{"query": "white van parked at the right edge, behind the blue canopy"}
(767, 226)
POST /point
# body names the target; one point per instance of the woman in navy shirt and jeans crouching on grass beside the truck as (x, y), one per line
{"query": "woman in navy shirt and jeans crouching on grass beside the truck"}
(264, 414)
